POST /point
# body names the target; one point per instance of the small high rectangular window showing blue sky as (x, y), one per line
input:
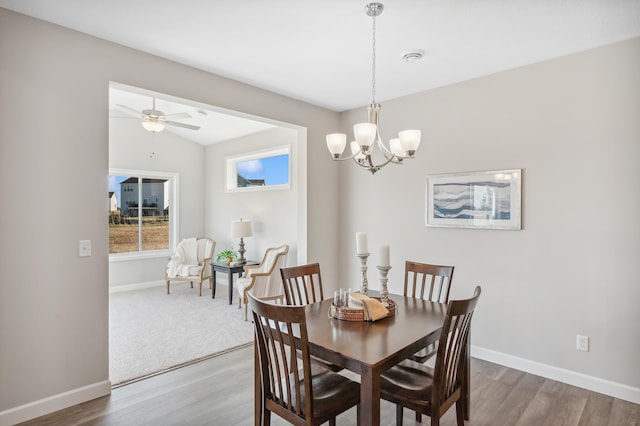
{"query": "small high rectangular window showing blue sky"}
(268, 169)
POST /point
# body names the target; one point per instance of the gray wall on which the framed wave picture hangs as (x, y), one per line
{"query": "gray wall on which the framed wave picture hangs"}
(572, 124)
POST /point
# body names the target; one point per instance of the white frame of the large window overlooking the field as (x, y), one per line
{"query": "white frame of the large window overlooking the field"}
(172, 186)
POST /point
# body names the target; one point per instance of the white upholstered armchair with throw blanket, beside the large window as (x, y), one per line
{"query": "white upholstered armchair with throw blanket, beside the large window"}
(191, 262)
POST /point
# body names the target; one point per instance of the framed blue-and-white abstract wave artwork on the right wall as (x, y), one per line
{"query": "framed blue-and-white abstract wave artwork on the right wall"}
(480, 200)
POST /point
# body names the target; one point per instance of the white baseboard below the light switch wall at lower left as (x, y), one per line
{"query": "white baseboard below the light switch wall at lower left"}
(54, 403)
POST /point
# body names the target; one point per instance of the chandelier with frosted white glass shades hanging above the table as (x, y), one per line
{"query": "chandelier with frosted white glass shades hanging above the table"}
(367, 135)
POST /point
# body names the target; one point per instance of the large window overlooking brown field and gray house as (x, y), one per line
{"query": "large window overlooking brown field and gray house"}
(141, 212)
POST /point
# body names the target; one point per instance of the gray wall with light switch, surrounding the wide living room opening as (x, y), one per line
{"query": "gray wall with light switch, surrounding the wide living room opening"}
(54, 129)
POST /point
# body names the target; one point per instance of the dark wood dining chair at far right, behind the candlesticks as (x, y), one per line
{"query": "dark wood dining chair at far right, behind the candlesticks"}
(427, 282)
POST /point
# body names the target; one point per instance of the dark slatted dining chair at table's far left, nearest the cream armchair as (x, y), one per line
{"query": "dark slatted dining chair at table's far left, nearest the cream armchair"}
(302, 284)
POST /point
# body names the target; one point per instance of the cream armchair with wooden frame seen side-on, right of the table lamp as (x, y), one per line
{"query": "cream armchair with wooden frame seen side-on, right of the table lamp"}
(264, 280)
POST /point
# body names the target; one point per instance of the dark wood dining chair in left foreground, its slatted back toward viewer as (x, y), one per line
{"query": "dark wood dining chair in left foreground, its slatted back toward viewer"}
(291, 387)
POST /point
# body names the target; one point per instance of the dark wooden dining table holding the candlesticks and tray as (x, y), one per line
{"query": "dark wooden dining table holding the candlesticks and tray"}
(370, 348)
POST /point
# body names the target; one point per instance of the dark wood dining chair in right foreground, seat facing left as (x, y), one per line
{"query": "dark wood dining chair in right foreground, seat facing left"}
(433, 391)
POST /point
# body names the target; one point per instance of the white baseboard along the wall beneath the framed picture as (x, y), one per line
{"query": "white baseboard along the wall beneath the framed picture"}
(595, 384)
